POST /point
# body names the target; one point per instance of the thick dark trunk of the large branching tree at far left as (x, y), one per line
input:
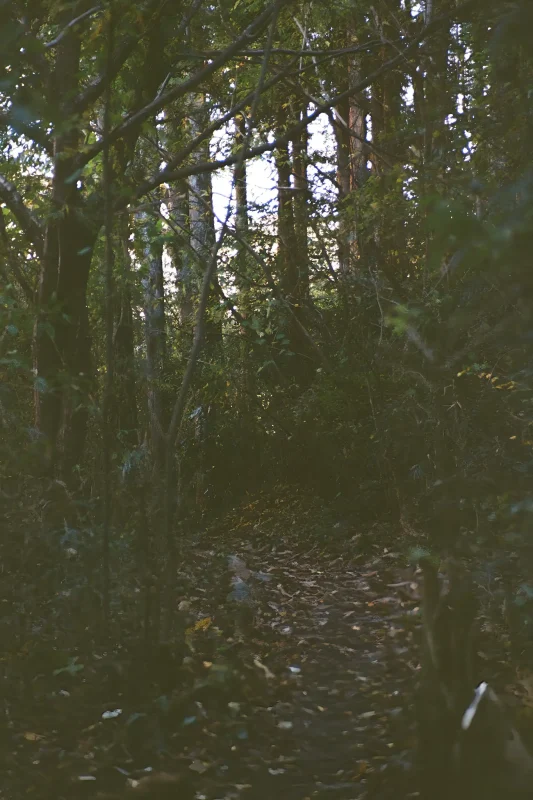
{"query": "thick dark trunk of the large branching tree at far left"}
(61, 341)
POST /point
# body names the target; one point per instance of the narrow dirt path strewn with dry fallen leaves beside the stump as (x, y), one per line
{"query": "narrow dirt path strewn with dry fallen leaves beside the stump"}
(337, 633)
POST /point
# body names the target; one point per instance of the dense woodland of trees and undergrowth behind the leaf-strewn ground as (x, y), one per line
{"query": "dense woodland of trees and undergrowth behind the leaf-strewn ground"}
(348, 357)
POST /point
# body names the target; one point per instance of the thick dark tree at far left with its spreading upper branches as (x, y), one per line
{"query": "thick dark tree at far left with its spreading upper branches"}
(64, 237)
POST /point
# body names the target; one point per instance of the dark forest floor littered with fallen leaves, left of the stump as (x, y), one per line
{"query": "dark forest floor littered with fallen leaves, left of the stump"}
(299, 685)
